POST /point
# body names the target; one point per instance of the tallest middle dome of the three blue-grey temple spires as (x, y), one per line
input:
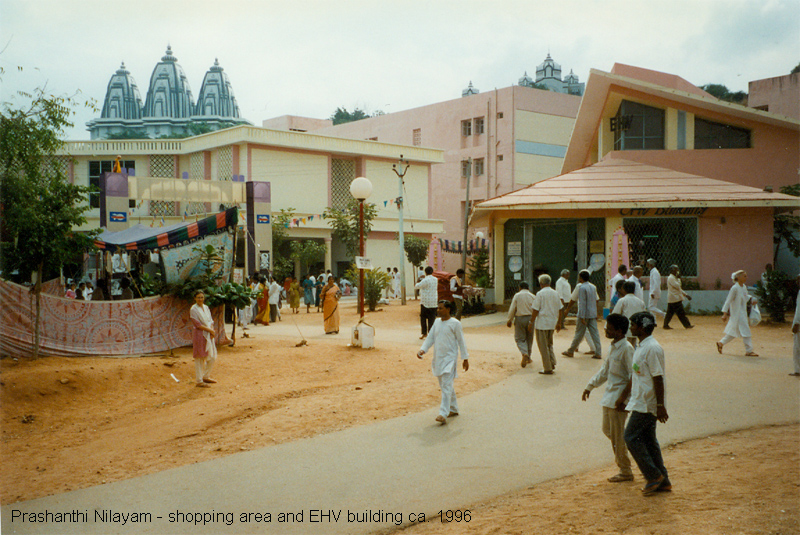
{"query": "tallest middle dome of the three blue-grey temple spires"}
(169, 94)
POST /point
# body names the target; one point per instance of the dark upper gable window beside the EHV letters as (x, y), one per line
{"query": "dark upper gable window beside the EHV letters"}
(638, 127)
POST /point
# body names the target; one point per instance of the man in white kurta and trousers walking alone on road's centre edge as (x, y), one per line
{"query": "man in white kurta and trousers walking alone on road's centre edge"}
(447, 338)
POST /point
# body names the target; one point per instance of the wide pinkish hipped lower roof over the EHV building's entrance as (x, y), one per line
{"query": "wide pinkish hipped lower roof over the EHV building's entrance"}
(618, 183)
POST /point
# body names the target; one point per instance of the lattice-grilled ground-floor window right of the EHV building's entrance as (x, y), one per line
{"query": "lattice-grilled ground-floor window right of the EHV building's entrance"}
(666, 240)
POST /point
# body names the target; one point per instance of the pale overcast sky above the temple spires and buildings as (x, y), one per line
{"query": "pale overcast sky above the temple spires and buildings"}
(307, 58)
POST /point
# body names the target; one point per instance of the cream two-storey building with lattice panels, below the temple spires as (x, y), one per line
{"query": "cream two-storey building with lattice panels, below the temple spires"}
(307, 174)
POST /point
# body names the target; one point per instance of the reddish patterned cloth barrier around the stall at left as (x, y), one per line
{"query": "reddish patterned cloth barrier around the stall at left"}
(74, 328)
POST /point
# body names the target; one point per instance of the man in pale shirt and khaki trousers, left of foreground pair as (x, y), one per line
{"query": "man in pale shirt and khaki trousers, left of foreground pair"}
(616, 370)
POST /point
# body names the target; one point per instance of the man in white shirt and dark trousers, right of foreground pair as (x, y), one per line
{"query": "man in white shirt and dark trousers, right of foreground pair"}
(647, 405)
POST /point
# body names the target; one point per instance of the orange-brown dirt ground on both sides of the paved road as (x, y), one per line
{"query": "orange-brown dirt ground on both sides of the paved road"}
(78, 422)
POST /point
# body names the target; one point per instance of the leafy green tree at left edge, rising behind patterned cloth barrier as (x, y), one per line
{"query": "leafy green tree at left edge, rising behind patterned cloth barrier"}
(39, 206)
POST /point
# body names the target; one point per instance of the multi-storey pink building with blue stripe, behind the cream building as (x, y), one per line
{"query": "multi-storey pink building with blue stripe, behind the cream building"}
(503, 139)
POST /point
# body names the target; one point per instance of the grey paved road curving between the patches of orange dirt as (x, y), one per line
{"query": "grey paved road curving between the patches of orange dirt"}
(527, 429)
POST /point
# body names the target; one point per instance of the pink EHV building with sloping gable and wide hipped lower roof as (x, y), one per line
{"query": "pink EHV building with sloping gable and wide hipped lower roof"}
(686, 177)
